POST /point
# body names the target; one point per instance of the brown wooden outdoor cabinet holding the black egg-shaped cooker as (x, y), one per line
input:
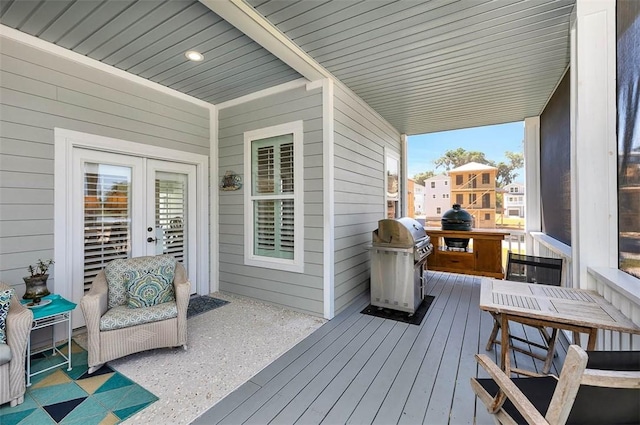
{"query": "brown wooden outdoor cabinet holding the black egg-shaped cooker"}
(483, 256)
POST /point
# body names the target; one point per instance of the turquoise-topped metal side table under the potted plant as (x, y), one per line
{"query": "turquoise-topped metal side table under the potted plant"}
(53, 309)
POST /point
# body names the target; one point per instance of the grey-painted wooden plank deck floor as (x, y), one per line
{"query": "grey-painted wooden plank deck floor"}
(360, 369)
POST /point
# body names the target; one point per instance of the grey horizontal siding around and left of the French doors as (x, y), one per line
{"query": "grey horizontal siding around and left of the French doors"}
(40, 91)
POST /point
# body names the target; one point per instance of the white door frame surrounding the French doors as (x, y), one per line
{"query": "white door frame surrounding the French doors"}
(65, 142)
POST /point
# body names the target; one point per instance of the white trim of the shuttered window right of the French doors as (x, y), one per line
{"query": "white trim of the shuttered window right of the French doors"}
(250, 259)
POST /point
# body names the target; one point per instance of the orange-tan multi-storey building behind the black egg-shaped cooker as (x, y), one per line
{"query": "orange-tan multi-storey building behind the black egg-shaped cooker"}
(473, 186)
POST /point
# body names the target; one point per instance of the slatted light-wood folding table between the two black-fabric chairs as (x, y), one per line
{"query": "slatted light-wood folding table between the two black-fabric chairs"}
(575, 310)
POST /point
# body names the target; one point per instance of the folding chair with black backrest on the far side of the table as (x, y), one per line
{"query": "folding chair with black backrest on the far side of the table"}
(530, 269)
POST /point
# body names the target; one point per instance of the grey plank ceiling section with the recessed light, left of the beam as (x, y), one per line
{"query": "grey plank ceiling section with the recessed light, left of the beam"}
(148, 38)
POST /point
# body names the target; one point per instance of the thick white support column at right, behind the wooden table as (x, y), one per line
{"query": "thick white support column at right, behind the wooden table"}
(594, 238)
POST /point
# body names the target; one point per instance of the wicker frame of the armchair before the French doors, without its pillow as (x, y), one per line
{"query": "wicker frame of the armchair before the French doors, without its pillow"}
(105, 345)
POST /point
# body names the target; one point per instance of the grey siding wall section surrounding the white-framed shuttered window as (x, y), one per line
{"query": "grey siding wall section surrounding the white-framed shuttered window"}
(298, 291)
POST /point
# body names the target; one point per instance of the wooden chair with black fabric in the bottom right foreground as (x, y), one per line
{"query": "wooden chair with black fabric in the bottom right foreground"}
(595, 387)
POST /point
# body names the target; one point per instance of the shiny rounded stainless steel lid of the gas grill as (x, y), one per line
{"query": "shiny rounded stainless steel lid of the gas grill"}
(402, 232)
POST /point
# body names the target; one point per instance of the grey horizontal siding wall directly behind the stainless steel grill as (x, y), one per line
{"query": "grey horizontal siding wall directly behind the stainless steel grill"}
(361, 138)
